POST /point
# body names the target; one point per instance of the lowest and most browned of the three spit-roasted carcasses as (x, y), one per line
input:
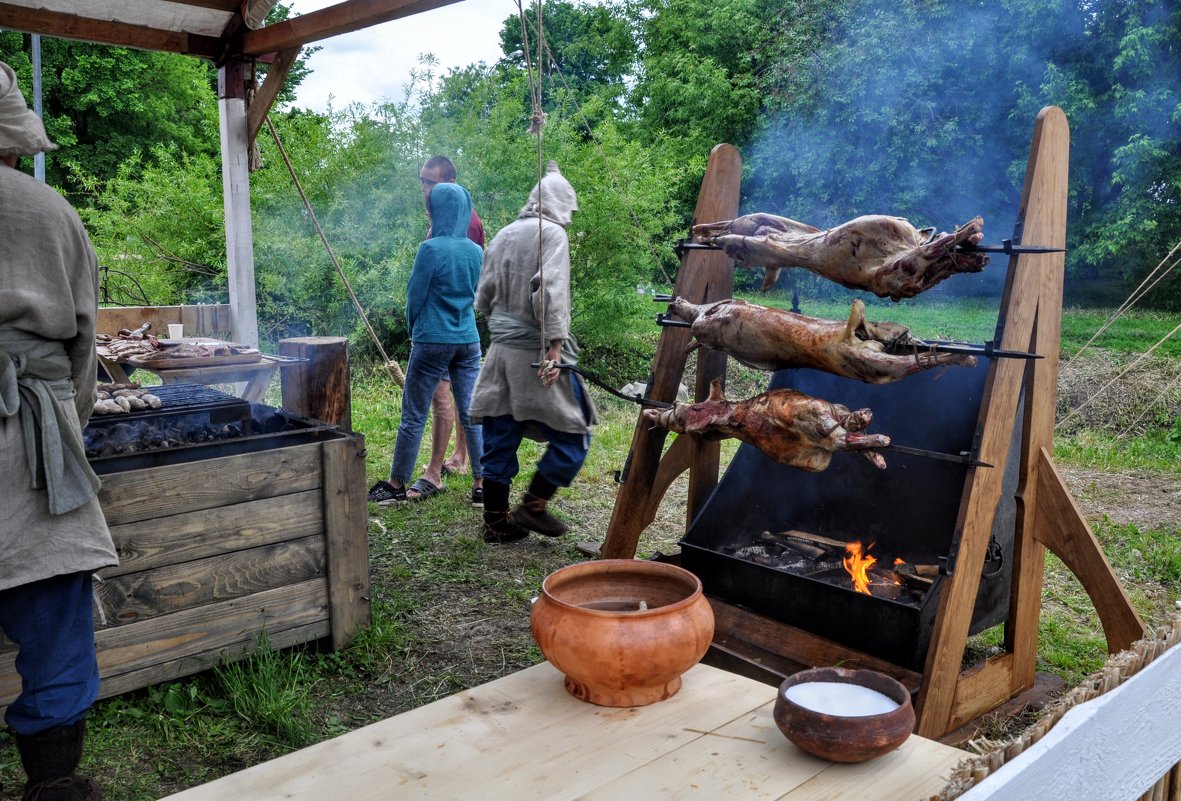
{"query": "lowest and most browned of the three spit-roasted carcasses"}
(789, 427)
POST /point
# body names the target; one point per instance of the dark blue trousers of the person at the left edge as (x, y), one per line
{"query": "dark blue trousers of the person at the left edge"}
(51, 622)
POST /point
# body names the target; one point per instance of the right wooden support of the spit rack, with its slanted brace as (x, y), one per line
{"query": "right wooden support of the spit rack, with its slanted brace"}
(1030, 320)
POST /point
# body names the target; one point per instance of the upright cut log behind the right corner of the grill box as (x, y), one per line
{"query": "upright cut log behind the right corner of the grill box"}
(318, 389)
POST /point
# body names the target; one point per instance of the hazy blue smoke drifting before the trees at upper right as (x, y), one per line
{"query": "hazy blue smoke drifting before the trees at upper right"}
(925, 110)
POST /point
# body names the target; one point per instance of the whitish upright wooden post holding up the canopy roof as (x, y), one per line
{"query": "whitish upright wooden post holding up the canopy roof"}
(237, 200)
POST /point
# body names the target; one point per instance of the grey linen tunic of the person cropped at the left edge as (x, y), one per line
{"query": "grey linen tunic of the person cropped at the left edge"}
(49, 291)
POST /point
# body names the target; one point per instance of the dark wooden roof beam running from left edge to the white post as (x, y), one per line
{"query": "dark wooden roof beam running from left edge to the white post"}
(106, 32)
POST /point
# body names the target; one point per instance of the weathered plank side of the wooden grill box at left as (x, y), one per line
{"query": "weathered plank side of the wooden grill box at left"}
(216, 552)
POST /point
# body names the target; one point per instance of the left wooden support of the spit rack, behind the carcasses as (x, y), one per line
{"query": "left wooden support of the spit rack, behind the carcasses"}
(704, 277)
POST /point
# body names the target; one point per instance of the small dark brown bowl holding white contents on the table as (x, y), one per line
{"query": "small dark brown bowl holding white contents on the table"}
(843, 738)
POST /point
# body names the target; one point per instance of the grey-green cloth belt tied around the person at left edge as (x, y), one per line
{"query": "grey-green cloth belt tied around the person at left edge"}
(35, 375)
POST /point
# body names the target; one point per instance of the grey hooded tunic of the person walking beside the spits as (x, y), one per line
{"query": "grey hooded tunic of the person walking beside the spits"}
(513, 294)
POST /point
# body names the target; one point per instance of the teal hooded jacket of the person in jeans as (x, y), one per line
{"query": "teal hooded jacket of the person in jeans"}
(447, 272)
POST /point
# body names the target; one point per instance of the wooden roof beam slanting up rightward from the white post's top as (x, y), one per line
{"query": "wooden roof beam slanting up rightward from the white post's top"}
(334, 21)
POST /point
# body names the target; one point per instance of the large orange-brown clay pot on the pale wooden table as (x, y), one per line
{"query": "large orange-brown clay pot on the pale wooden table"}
(623, 630)
